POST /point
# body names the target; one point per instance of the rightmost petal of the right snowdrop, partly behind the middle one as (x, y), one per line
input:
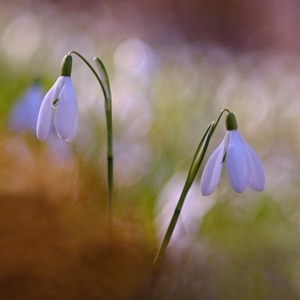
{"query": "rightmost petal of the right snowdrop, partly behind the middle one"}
(257, 177)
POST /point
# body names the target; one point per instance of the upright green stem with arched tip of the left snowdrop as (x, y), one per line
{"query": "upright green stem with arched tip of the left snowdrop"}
(108, 113)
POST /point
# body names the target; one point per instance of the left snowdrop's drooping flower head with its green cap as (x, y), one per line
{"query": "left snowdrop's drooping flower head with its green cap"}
(60, 97)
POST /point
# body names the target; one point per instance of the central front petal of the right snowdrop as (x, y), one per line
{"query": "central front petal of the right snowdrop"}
(237, 163)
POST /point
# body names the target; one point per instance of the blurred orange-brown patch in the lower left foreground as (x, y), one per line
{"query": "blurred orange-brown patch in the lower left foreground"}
(54, 241)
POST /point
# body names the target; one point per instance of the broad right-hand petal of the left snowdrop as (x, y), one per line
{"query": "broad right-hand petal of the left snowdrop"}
(66, 111)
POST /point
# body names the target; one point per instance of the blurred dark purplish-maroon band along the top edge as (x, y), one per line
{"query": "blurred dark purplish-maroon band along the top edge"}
(241, 25)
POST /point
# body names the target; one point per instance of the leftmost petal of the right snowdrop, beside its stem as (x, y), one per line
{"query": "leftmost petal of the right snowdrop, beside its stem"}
(212, 171)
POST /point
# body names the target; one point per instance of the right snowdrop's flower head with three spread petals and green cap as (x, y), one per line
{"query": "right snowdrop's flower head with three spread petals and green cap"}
(243, 165)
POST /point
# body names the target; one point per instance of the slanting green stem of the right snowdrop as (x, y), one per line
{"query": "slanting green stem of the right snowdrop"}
(196, 163)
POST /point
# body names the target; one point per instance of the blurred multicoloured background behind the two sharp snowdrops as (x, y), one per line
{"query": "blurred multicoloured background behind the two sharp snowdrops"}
(173, 65)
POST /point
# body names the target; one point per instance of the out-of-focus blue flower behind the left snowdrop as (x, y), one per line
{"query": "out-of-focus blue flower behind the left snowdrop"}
(25, 113)
